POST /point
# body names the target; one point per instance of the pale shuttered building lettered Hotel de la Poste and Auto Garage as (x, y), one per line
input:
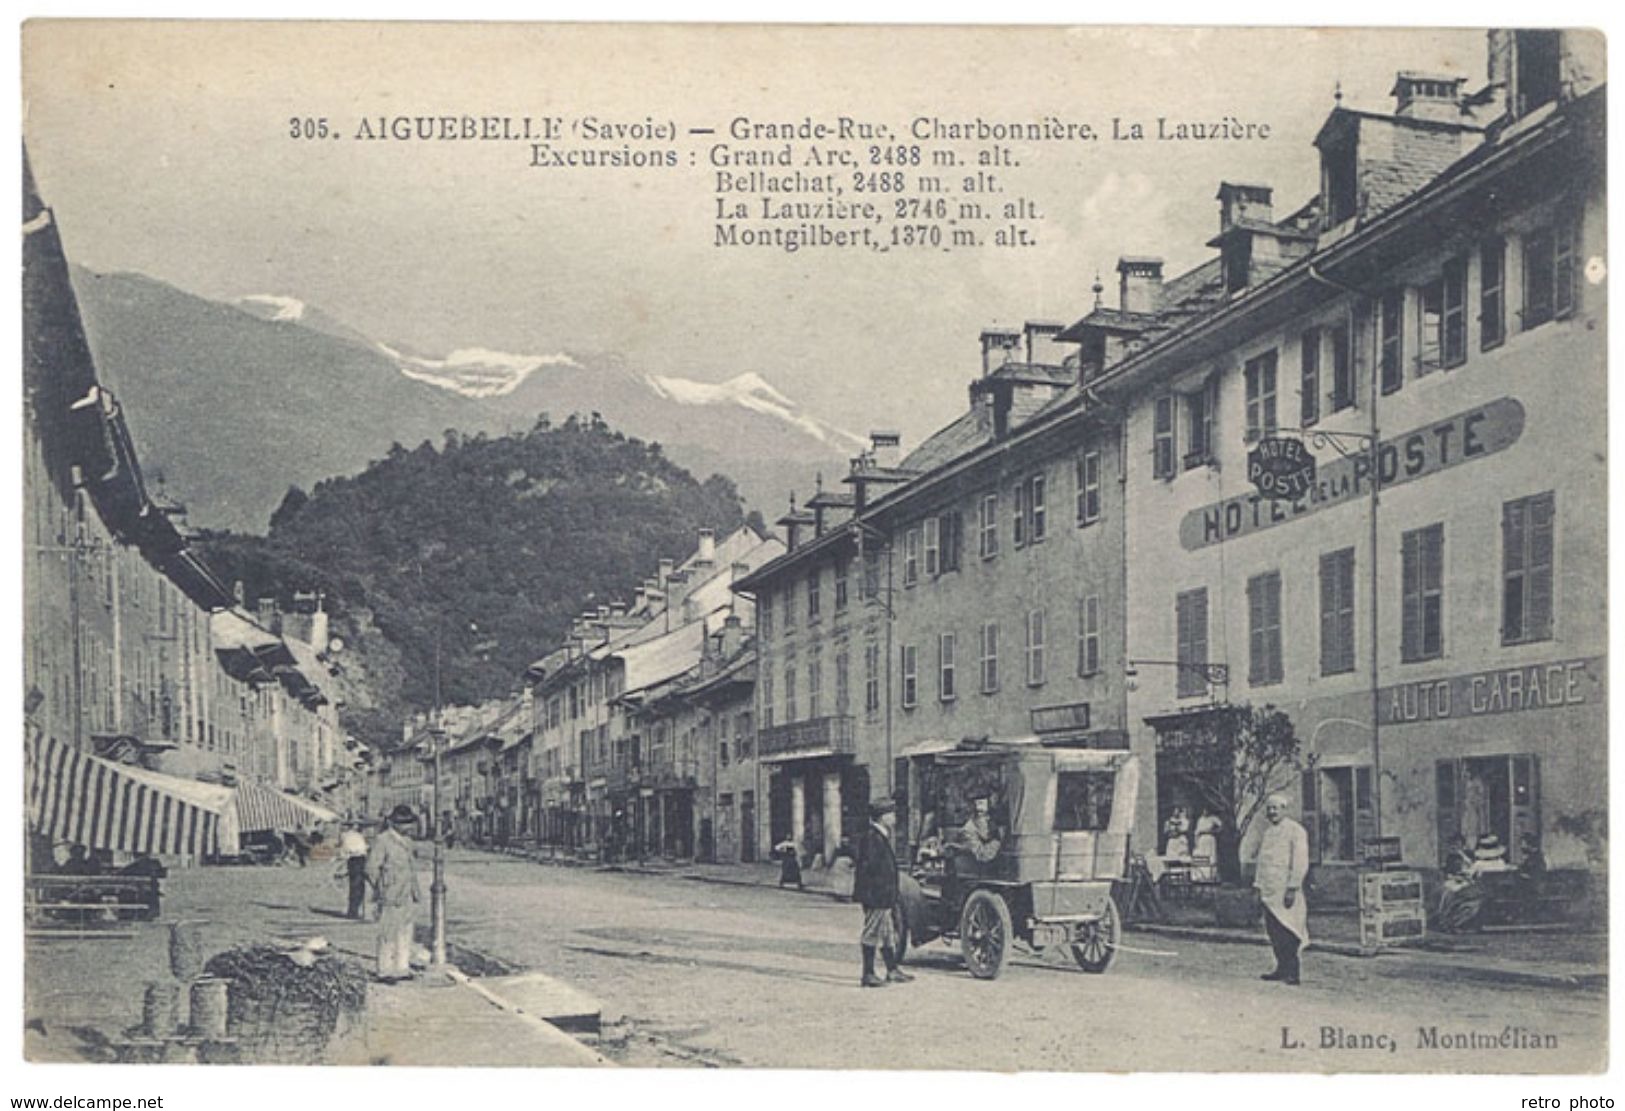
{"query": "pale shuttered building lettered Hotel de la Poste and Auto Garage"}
(1429, 612)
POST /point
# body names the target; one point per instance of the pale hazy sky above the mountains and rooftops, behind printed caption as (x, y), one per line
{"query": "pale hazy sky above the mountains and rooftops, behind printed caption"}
(165, 149)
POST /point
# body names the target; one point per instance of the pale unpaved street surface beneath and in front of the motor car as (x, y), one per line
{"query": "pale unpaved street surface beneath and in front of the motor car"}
(726, 975)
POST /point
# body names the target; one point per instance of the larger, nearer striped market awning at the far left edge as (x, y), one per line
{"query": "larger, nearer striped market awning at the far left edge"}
(74, 797)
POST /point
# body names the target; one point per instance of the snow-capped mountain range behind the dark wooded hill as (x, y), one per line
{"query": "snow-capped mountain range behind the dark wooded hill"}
(238, 402)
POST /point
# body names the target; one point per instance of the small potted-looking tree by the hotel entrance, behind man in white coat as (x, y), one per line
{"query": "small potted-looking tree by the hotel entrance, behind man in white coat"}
(1234, 759)
